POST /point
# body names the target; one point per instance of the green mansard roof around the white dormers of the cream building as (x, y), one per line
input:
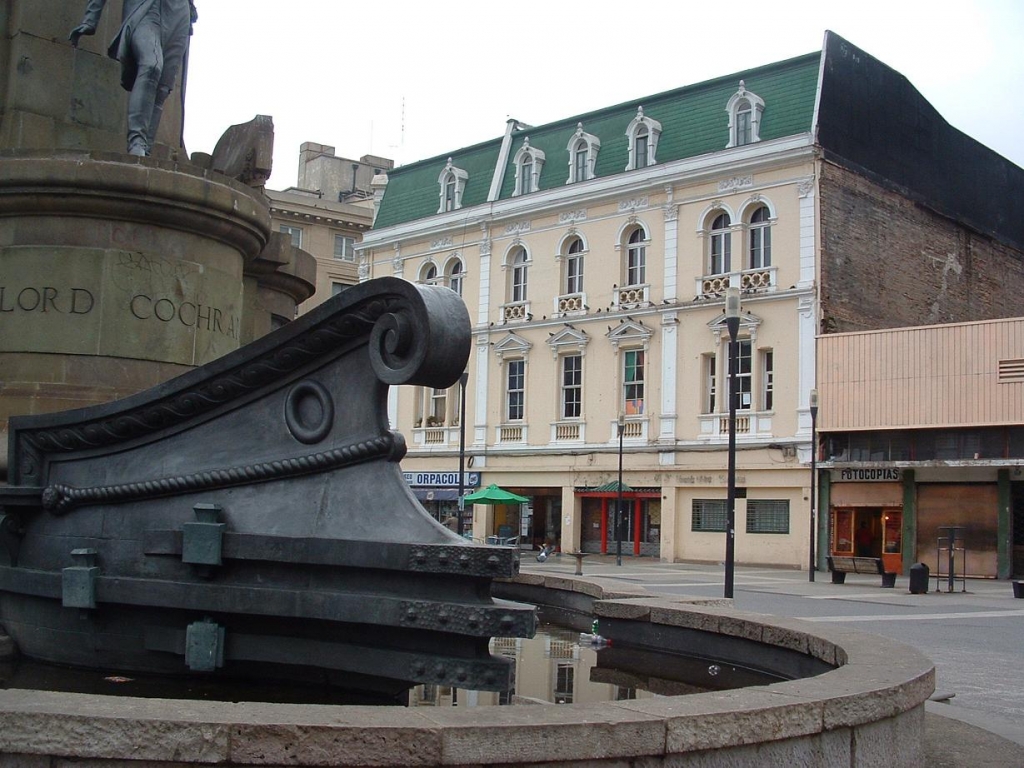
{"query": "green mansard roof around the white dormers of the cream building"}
(694, 123)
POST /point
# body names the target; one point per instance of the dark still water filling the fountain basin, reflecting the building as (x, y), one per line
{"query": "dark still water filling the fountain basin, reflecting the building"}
(553, 667)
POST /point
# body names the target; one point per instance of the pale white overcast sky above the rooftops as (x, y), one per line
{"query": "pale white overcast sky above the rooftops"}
(409, 81)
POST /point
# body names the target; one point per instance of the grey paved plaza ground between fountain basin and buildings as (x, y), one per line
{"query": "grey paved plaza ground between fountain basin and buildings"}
(972, 636)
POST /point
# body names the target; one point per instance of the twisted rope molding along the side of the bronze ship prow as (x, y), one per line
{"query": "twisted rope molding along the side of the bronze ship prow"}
(60, 499)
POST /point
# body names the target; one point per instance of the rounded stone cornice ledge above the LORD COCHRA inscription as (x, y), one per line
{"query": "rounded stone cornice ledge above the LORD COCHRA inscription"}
(119, 188)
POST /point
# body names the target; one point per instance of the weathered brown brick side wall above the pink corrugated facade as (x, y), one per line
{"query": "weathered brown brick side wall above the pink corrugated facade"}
(889, 263)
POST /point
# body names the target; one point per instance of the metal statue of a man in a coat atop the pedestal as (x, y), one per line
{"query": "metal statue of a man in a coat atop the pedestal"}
(151, 46)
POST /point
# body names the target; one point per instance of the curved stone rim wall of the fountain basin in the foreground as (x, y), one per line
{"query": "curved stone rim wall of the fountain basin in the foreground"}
(868, 711)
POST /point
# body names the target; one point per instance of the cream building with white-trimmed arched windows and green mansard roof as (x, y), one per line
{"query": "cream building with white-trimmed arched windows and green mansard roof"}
(593, 254)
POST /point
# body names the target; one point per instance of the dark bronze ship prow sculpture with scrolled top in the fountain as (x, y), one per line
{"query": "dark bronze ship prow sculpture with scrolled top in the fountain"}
(251, 518)
